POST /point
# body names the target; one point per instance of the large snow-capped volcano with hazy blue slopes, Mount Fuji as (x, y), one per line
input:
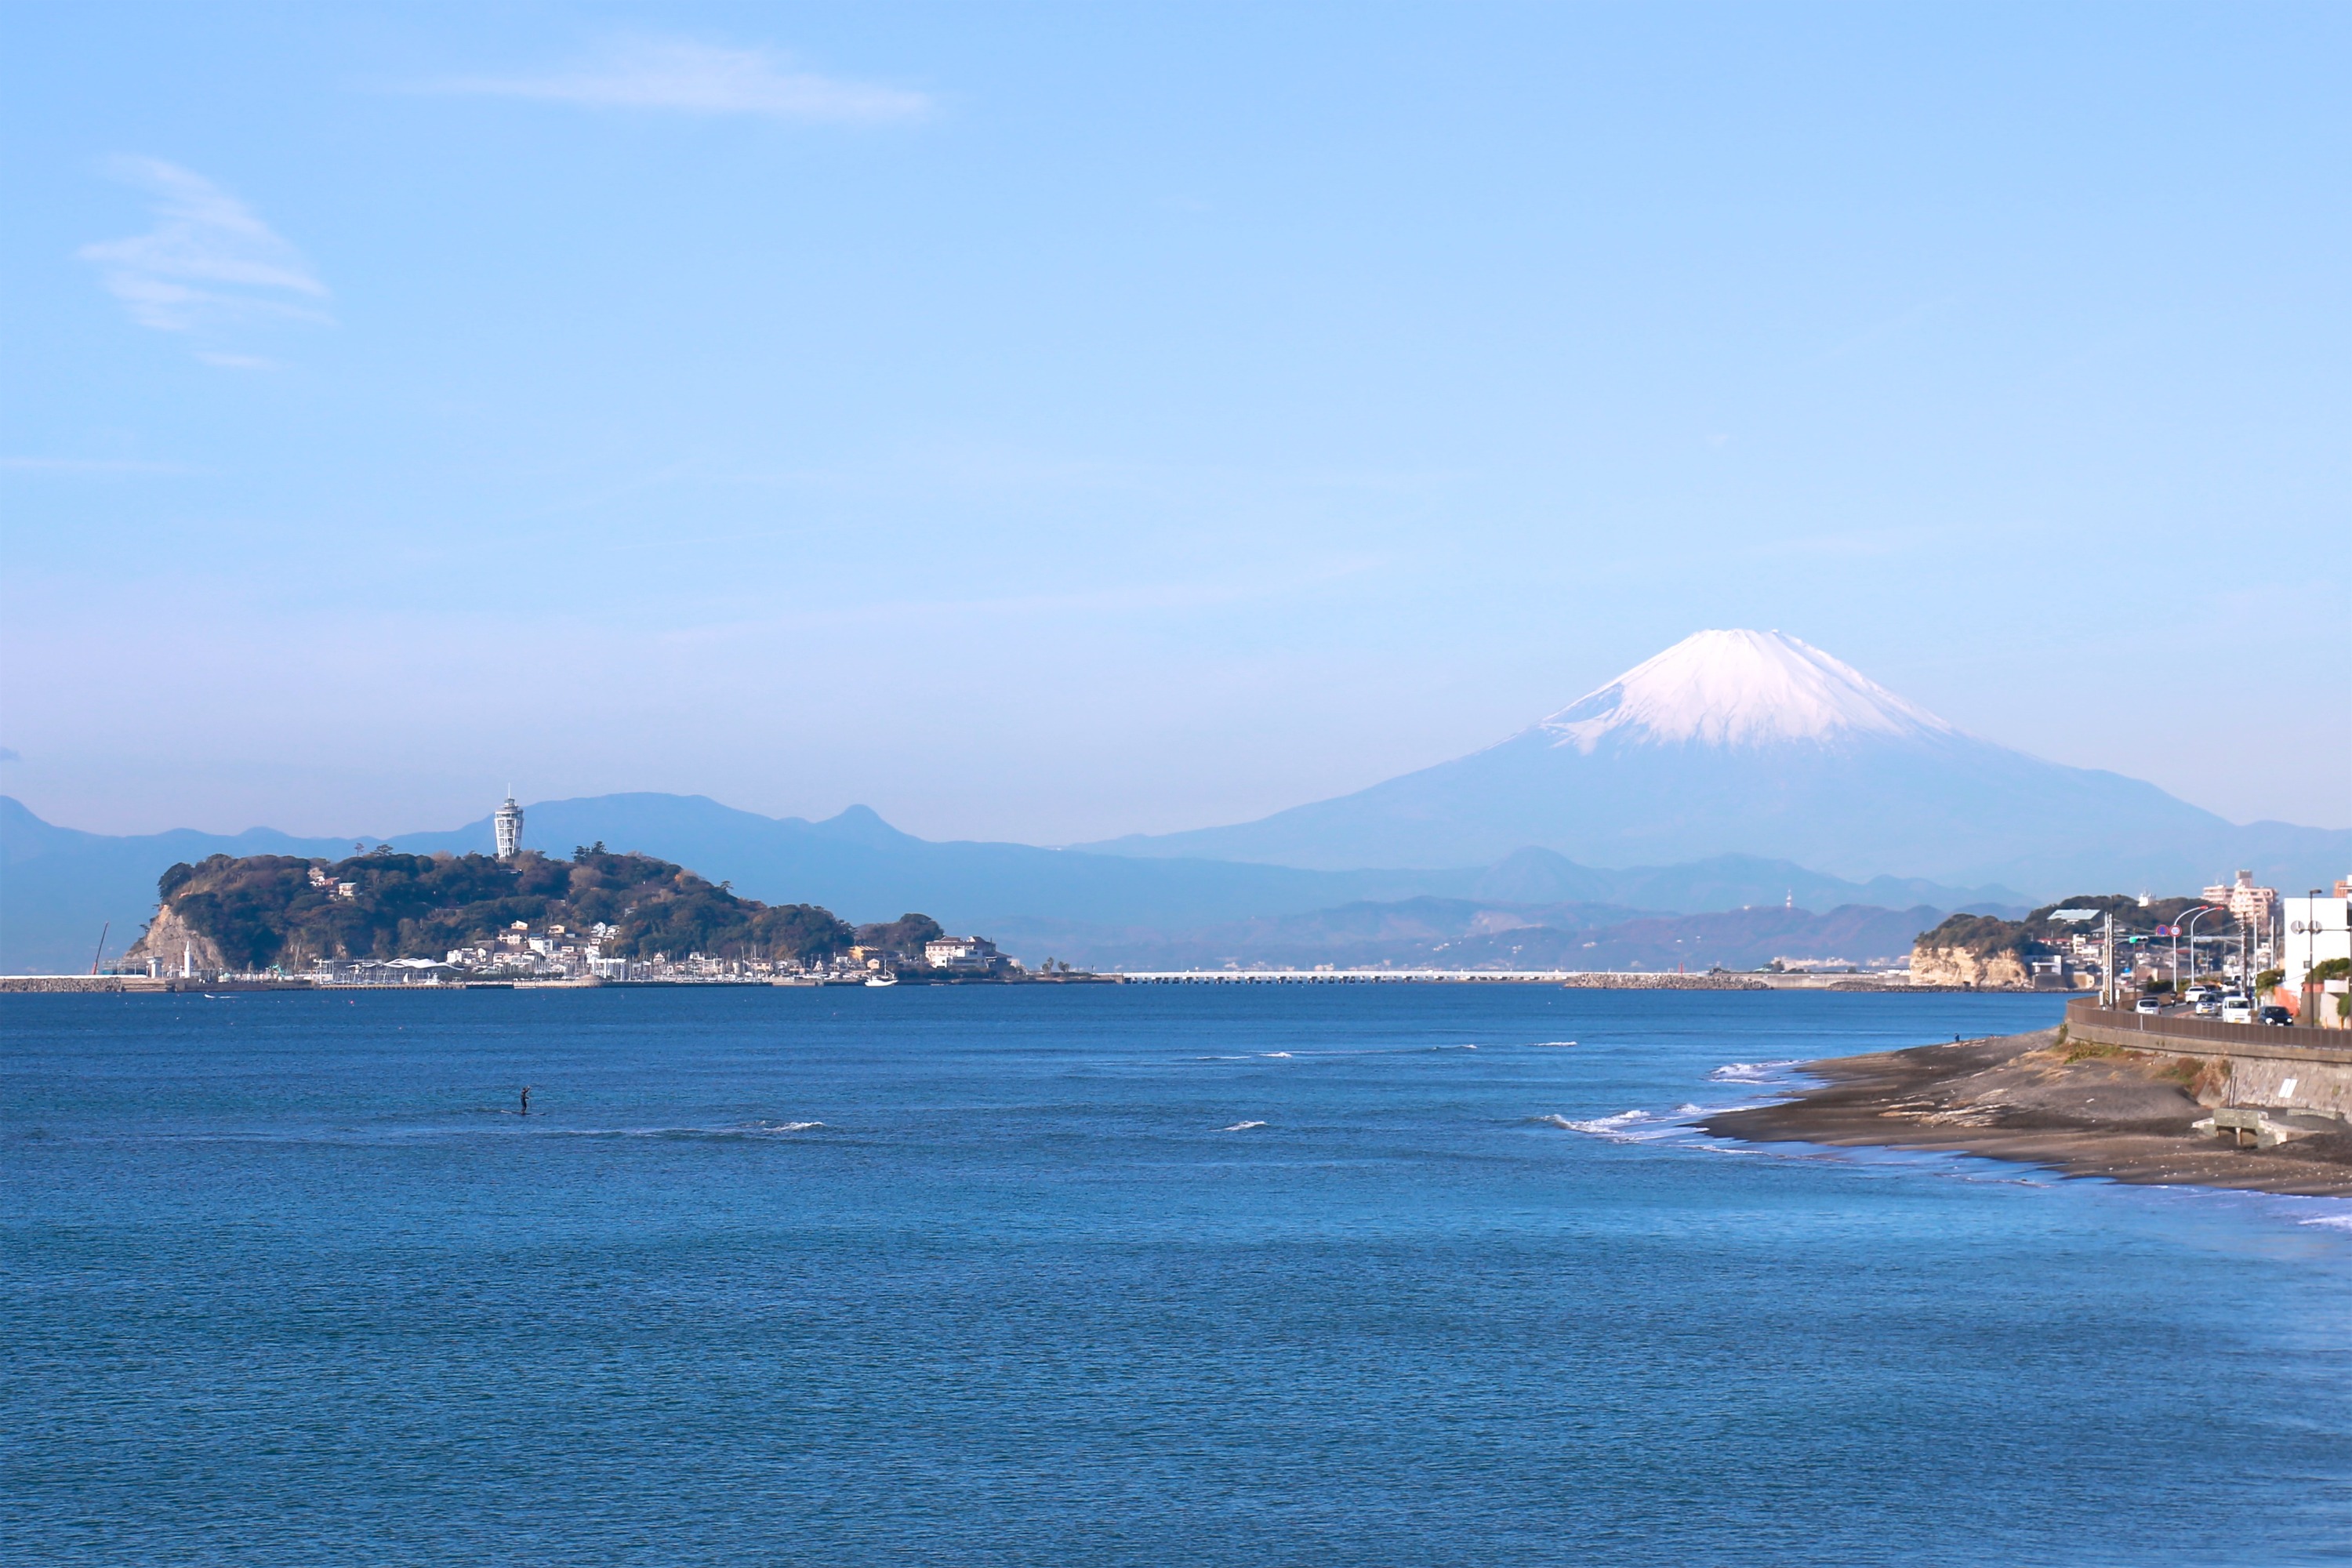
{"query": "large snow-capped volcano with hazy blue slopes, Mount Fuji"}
(1758, 744)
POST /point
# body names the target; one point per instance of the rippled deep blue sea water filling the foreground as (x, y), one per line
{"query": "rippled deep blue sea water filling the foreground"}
(1107, 1275)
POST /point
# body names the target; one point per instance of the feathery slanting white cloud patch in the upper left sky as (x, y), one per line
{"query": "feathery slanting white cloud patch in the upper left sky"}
(208, 264)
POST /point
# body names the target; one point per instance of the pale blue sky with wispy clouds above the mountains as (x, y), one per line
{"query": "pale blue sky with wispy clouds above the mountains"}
(1055, 422)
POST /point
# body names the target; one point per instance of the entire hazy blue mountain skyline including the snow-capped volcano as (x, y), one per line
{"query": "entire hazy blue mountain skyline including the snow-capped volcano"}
(1711, 775)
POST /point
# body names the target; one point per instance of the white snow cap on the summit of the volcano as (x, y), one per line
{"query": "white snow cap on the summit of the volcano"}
(1739, 690)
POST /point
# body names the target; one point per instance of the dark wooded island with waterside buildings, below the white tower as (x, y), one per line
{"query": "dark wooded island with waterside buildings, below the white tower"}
(288, 913)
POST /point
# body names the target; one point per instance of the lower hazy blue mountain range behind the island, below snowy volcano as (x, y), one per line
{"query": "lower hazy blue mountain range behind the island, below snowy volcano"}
(60, 885)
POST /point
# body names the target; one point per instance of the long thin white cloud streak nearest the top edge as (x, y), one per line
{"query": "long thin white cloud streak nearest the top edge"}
(707, 81)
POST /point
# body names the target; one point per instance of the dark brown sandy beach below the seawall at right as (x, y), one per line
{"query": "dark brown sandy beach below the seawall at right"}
(2080, 1111)
